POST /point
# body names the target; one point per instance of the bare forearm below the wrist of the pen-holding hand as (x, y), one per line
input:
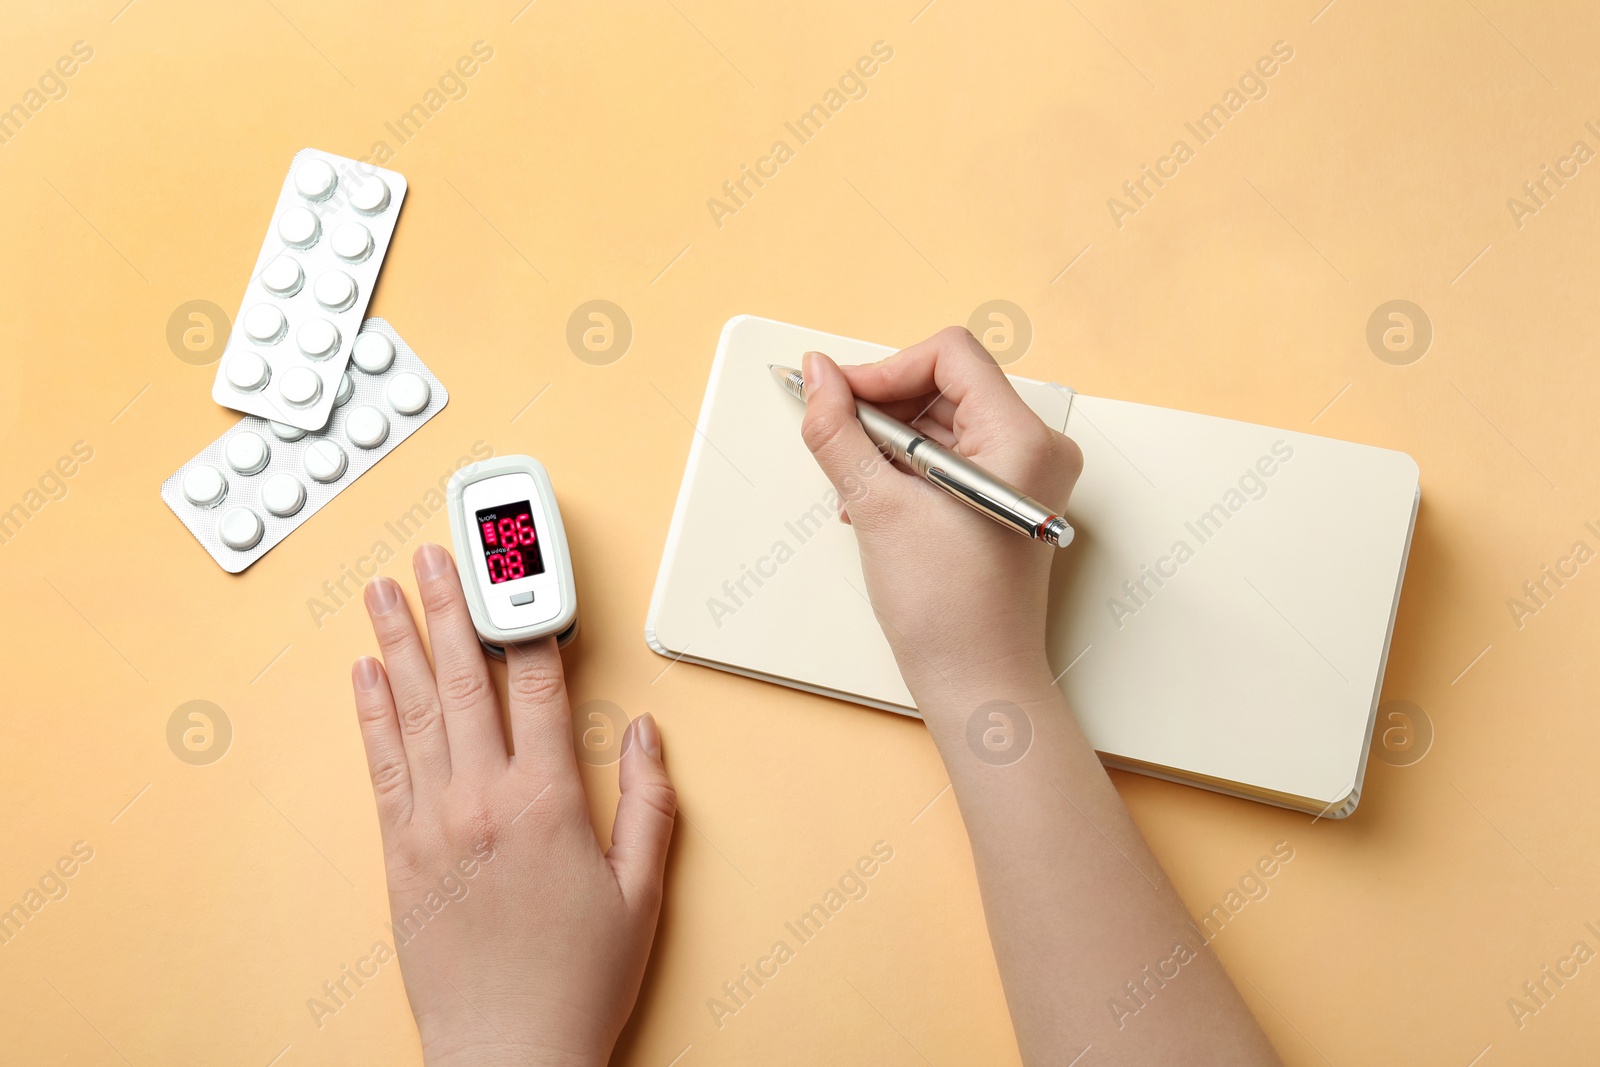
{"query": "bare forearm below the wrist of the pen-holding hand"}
(1078, 905)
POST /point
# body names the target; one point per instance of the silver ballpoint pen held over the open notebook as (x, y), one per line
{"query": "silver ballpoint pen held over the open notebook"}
(954, 474)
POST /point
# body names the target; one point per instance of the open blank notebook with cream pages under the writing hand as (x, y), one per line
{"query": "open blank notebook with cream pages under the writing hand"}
(1222, 620)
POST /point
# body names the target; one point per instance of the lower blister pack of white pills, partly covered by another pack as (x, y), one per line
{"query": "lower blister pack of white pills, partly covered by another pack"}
(257, 484)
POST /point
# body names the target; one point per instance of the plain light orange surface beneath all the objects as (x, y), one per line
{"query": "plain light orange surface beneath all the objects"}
(978, 167)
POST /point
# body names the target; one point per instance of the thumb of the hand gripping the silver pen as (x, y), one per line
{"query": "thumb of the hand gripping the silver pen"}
(839, 444)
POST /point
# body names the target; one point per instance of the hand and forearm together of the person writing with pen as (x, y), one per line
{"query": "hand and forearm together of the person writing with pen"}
(1074, 898)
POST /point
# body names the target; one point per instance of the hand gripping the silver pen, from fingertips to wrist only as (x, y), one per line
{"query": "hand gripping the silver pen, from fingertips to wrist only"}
(959, 596)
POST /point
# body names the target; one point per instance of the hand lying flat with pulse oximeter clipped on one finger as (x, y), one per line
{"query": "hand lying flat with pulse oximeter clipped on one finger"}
(519, 940)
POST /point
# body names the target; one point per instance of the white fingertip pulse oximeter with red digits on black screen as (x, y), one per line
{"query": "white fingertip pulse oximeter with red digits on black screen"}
(511, 553)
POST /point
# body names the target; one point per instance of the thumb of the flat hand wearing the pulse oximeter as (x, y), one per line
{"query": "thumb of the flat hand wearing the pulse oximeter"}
(644, 817)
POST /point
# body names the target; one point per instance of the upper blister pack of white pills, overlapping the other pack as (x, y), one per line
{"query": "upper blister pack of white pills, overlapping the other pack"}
(310, 292)
